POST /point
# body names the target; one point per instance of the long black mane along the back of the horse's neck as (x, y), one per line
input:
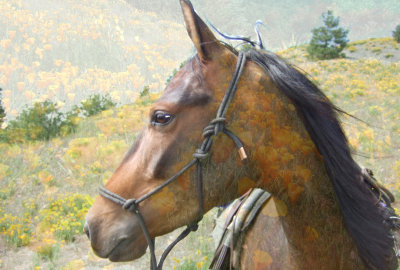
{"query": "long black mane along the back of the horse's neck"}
(366, 218)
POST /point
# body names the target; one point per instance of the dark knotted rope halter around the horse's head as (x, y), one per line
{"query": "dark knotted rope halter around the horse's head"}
(215, 126)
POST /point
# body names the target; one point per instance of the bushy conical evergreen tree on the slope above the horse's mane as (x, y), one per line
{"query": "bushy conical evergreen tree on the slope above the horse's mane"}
(328, 41)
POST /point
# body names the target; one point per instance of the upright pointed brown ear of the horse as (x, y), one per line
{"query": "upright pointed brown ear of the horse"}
(205, 42)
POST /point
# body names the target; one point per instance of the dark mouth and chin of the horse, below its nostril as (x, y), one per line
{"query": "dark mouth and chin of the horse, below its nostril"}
(127, 249)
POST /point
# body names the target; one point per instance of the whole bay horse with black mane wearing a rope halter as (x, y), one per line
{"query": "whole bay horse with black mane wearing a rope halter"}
(324, 214)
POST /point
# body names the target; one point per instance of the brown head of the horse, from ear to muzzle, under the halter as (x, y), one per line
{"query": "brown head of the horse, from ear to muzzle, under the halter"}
(168, 141)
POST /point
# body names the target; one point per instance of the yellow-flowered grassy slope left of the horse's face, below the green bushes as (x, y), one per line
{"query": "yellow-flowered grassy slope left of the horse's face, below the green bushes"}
(35, 177)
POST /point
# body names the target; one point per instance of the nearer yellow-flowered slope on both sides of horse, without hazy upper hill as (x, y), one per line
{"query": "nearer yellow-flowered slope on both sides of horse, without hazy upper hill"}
(69, 170)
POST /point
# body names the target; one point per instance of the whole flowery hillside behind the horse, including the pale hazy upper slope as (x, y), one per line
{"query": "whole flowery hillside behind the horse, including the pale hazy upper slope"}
(47, 187)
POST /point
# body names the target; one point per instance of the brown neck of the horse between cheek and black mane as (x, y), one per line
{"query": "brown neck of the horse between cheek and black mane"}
(287, 164)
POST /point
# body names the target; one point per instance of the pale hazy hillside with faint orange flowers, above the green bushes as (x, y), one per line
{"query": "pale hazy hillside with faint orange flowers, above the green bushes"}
(70, 49)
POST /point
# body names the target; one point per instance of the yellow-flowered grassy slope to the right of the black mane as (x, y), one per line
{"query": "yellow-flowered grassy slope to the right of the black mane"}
(369, 89)
